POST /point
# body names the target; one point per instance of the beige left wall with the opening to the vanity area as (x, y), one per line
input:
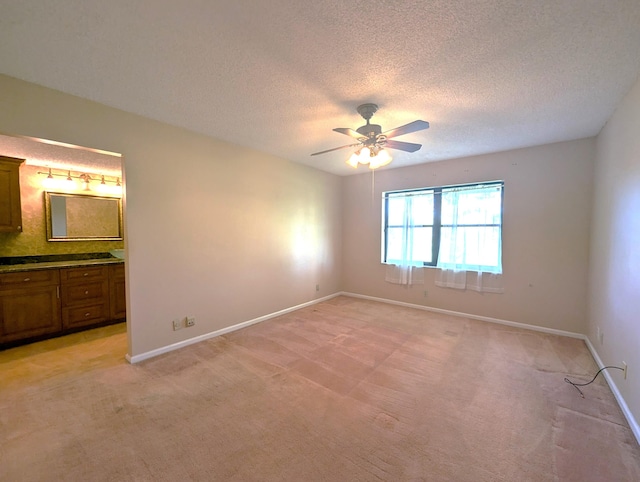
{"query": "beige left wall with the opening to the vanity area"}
(212, 230)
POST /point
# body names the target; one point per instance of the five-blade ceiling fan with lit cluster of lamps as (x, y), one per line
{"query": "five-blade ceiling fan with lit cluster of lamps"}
(372, 141)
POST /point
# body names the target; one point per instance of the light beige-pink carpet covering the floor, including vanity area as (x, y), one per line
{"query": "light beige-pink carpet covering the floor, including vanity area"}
(345, 390)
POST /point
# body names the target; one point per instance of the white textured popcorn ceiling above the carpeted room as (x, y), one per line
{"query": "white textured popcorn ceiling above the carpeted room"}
(279, 75)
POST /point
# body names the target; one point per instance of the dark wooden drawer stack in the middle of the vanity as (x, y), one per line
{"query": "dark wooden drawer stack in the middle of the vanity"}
(85, 296)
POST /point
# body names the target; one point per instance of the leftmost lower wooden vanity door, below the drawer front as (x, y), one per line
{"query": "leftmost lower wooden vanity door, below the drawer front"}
(29, 312)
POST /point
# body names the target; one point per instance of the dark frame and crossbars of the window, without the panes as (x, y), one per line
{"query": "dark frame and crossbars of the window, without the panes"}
(436, 191)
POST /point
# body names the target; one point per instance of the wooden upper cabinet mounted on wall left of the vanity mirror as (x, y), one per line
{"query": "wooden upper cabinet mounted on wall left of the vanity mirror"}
(10, 208)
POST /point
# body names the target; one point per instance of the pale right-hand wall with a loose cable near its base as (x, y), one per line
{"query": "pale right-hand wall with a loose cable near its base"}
(614, 289)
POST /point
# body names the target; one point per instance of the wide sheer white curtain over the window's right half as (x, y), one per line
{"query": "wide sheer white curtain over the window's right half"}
(471, 240)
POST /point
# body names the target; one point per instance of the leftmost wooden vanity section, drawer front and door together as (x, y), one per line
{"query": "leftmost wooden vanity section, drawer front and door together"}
(29, 304)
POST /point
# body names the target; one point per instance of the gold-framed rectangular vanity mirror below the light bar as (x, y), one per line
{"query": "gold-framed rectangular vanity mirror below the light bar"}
(81, 217)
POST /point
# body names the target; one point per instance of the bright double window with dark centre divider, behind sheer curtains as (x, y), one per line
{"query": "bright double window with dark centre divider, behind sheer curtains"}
(454, 227)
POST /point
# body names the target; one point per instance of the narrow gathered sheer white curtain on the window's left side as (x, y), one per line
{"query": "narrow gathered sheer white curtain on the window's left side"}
(407, 270)
